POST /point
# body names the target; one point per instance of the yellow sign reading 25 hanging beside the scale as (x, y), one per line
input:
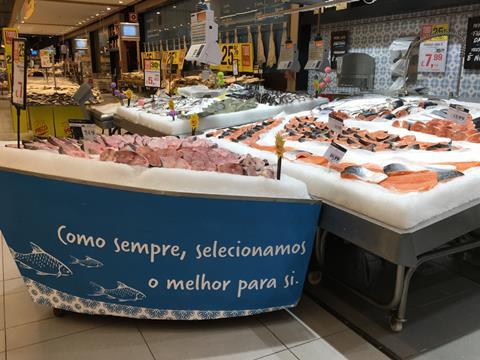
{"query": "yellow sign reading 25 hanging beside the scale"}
(242, 53)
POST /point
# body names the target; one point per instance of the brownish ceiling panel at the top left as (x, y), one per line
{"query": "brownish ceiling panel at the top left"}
(58, 17)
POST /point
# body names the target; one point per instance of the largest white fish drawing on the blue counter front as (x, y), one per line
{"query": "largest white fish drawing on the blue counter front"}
(41, 262)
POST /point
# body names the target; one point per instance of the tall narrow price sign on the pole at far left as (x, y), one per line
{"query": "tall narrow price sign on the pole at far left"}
(19, 79)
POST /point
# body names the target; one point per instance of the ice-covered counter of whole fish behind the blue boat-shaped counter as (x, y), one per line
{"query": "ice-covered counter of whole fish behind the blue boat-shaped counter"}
(240, 106)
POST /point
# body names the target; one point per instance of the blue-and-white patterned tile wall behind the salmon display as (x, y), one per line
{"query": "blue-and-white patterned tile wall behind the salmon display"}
(374, 36)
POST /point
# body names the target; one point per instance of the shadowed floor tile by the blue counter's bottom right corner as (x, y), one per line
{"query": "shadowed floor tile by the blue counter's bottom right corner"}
(317, 318)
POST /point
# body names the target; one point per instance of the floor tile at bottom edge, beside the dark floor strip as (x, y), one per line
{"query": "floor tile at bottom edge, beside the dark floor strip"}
(354, 347)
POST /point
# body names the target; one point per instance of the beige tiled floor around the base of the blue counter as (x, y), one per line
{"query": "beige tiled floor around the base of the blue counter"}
(306, 333)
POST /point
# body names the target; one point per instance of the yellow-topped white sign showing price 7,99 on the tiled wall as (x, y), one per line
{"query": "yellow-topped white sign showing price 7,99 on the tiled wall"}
(433, 53)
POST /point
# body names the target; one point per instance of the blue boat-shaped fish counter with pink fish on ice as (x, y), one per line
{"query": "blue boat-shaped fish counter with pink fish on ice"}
(148, 227)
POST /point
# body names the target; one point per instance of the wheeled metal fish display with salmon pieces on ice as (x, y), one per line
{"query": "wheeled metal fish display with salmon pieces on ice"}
(405, 189)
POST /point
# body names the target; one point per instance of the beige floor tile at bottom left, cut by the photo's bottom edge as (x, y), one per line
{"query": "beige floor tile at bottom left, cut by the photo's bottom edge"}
(119, 342)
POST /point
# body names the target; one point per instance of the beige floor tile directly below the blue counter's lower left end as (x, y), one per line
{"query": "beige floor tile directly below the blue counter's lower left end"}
(52, 328)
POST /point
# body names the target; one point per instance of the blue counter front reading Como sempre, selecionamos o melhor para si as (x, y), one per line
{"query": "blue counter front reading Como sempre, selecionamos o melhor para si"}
(179, 257)
